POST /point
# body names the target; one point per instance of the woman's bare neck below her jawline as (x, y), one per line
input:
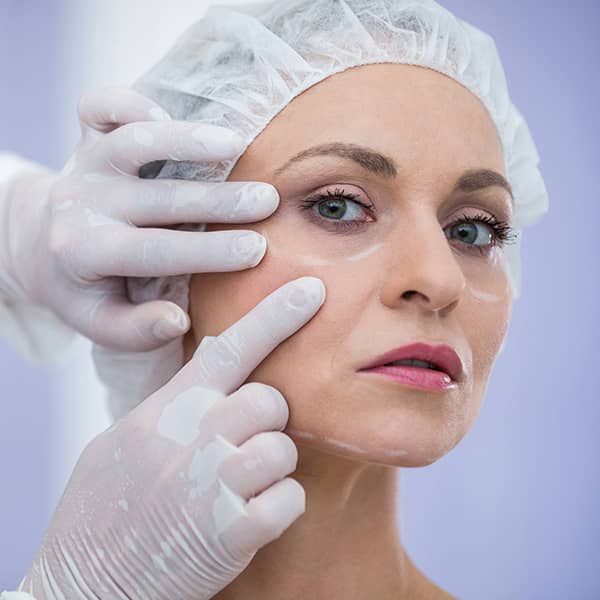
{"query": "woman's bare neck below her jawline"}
(345, 546)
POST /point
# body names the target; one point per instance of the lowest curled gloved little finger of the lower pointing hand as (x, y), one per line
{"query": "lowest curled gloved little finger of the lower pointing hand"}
(268, 515)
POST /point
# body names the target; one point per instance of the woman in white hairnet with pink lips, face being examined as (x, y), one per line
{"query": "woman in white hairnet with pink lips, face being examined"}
(403, 189)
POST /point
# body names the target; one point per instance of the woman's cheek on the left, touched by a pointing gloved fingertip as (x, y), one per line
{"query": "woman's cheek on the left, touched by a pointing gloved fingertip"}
(218, 300)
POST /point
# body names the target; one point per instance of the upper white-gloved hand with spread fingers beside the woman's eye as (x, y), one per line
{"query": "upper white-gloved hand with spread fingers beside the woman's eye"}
(69, 240)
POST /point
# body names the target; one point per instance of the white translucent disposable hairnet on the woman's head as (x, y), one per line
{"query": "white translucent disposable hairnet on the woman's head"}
(239, 66)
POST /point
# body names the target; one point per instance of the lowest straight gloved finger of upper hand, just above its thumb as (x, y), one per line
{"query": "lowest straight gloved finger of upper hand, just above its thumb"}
(163, 252)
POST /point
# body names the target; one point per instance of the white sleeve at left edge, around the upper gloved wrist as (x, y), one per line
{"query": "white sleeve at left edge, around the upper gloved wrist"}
(32, 331)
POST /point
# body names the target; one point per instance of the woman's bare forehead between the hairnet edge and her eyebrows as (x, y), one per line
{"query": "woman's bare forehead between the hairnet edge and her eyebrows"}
(404, 111)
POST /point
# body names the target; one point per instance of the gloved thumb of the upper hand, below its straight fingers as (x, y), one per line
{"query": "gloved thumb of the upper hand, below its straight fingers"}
(118, 324)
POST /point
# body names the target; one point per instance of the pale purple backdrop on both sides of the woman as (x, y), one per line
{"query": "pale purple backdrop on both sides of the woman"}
(511, 511)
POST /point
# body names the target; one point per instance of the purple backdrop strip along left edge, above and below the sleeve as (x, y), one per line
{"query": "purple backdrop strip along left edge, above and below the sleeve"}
(30, 76)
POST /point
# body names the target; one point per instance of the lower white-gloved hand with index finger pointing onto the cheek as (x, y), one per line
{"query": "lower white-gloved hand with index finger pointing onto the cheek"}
(174, 499)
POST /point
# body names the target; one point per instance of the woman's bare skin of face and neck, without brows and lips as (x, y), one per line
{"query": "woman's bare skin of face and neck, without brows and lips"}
(394, 279)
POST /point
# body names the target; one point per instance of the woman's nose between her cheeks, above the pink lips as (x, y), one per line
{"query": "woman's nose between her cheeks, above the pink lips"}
(423, 270)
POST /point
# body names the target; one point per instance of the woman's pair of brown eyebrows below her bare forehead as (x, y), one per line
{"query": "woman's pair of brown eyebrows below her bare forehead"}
(384, 166)
